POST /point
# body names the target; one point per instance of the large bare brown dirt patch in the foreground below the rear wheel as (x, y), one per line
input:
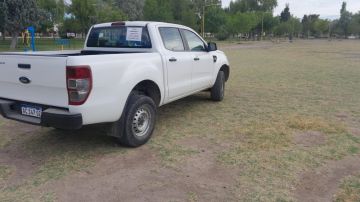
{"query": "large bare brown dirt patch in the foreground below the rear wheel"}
(139, 176)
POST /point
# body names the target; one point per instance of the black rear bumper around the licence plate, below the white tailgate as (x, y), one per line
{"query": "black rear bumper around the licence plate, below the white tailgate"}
(51, 117)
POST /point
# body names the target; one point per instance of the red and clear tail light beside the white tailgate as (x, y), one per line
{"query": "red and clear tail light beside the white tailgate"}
(79, 84)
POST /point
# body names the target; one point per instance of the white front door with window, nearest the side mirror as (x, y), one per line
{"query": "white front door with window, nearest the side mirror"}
(202, 63)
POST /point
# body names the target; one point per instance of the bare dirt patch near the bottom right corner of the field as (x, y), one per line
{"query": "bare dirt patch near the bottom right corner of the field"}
(322, 184)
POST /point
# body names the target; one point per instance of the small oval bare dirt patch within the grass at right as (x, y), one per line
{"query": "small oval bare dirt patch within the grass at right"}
(309, 139)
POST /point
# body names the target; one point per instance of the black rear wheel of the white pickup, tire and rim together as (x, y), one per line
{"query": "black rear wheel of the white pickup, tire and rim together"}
(138, 121)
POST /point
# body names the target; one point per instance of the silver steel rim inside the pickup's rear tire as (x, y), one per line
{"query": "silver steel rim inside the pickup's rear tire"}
(141, 121)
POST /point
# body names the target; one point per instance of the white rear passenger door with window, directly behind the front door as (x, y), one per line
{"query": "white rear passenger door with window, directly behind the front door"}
(178, 63)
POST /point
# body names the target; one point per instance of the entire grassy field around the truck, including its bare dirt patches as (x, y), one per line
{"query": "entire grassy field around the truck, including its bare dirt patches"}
(288, 130)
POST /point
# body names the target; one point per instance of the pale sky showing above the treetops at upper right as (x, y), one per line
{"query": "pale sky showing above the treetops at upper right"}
(326, 8)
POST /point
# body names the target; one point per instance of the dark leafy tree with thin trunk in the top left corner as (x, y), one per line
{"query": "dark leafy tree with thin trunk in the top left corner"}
(19, 14)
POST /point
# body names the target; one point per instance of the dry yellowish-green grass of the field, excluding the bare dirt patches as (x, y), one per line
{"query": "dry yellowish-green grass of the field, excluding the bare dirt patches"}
(275, 91)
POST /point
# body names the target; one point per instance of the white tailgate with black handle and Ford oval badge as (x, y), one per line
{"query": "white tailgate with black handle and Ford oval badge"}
(34, 79)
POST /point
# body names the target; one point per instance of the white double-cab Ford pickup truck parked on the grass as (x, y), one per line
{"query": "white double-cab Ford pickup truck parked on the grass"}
(124, 72)
